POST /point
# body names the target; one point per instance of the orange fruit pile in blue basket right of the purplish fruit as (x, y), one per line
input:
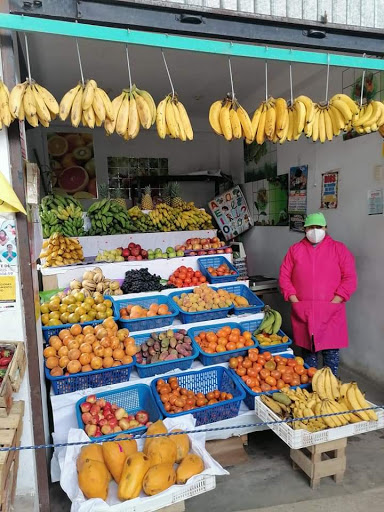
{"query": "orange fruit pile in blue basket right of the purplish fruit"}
(223, 340)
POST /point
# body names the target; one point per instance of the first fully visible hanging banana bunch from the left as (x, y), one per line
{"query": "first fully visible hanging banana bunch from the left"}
(32, 102)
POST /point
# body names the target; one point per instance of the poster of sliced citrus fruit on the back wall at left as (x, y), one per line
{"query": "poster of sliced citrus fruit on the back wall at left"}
(72, 164)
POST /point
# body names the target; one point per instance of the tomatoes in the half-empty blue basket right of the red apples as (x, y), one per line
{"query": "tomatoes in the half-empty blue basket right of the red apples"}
(176, 399)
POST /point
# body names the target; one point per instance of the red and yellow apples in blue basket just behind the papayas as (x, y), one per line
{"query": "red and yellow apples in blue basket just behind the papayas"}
(102, 418)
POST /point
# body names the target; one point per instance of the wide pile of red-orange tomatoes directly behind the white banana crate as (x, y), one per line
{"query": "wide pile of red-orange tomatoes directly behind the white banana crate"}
(265, 372)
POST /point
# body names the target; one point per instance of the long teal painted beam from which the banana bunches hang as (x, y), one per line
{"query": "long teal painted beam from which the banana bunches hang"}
(175, 42)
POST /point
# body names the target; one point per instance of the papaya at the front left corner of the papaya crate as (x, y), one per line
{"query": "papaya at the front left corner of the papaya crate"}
(94, 479)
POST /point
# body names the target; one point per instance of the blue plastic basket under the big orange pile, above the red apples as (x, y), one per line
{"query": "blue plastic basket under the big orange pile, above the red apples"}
(94, 379)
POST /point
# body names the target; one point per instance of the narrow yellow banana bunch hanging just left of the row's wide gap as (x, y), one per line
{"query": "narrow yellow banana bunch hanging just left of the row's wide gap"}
(172, 119)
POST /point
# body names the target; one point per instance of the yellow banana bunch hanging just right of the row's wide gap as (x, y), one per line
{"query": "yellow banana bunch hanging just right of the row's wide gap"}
(229, 119)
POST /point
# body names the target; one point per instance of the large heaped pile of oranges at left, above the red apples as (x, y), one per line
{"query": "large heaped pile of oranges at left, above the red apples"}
(83, 349)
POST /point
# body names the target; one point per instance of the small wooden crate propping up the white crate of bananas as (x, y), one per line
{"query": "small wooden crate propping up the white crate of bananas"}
(321, 460)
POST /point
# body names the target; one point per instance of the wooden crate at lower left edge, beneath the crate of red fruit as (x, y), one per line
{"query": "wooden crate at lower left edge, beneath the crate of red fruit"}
(11, 429)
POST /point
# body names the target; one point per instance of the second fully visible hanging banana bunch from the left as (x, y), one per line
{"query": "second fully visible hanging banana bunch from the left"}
(86, 104)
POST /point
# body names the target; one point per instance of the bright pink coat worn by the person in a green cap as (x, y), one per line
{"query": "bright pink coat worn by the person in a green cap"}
(315, 275)
